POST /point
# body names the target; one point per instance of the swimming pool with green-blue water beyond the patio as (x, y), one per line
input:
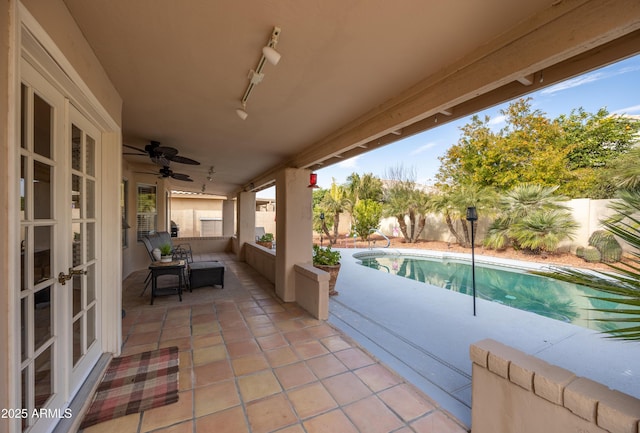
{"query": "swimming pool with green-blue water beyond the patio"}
(511, 286)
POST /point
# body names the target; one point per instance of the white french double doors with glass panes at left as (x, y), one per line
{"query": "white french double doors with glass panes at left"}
(58, 293)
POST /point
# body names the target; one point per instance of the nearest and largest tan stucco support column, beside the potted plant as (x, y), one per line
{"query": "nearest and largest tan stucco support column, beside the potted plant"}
(293, 228)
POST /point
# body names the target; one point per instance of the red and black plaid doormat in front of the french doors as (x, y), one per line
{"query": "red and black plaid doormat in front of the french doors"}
(134, 384)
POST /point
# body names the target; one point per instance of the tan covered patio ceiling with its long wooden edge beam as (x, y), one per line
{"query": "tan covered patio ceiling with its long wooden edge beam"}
(354, 74)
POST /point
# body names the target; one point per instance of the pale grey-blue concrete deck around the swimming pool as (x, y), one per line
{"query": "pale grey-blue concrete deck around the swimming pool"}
(424, 333)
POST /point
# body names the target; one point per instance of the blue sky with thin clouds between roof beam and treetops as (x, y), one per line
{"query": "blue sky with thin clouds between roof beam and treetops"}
(615, 87)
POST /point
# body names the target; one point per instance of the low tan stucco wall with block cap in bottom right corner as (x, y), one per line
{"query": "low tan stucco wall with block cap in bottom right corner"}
(516, 392)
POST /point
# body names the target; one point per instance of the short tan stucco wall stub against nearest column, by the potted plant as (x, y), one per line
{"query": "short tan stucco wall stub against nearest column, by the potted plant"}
(312, 290)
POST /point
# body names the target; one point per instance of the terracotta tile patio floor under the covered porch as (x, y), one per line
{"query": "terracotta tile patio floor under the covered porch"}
(251, 363)
